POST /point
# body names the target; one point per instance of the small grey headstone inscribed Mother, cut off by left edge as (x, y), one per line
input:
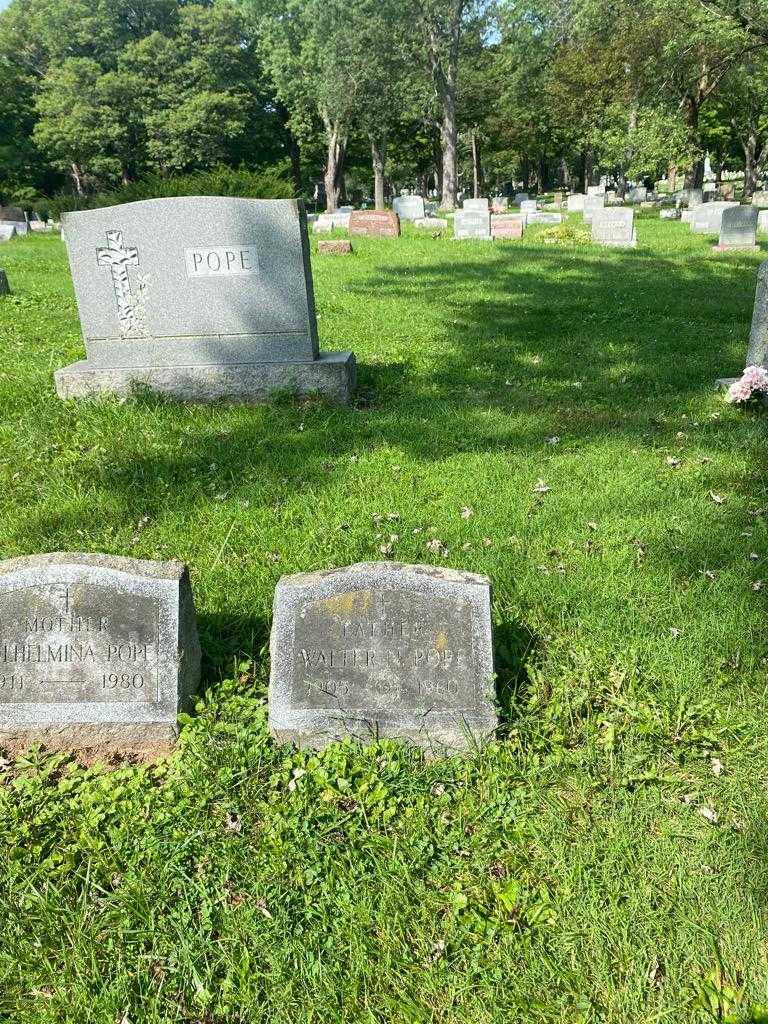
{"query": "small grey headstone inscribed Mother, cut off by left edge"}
(96, 651)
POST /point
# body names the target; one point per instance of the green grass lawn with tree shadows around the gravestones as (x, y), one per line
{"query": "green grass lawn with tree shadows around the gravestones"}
(606, 859)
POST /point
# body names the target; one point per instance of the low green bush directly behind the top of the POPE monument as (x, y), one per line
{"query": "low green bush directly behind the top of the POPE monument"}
(271, 183)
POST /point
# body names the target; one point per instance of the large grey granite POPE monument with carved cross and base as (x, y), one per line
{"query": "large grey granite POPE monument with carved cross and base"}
(198, 298)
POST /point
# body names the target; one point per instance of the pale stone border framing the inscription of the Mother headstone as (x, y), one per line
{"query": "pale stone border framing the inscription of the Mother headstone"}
(152, 738)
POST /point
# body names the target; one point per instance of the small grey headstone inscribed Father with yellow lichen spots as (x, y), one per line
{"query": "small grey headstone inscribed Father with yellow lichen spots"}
(382, 650)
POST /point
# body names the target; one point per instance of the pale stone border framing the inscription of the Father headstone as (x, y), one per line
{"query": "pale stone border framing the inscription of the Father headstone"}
(315, 728)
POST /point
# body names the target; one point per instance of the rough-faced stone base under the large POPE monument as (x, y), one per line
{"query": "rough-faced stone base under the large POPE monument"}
(333, 375)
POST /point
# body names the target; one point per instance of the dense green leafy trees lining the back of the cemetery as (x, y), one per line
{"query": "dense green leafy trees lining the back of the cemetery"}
(361, 98)
